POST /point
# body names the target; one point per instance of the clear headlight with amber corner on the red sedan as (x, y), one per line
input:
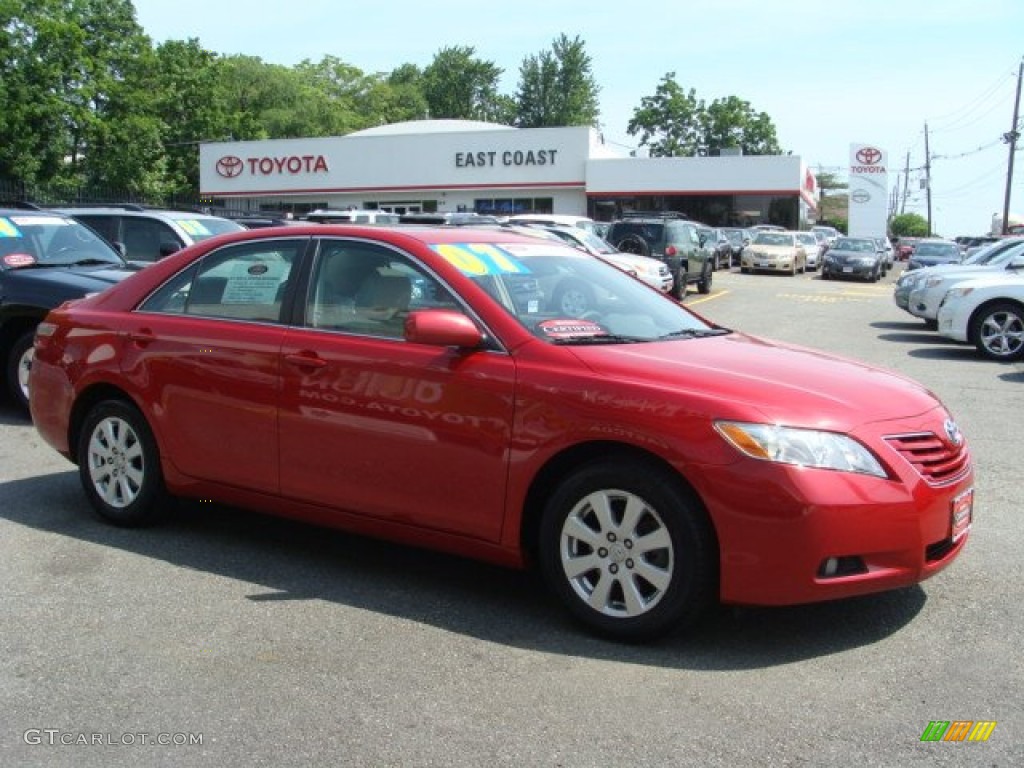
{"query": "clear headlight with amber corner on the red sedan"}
(802, 448)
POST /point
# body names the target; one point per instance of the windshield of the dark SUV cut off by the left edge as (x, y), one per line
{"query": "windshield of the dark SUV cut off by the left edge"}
(52, 241)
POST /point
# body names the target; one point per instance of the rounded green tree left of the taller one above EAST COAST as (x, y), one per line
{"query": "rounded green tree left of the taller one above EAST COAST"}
(459, 87)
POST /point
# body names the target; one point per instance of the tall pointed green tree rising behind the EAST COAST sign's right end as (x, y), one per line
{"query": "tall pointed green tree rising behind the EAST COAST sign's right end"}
(558, 88)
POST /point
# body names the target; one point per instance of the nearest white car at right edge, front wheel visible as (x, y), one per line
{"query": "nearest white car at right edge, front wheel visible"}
(990, 314)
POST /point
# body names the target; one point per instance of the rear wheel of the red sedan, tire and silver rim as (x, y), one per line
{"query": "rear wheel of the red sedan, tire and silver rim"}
(119, 466)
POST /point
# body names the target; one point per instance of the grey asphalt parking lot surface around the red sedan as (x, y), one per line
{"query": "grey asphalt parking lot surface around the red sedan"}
(225, 638)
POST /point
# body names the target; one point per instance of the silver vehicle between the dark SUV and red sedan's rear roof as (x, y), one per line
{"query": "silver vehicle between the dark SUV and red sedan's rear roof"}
(145, 235)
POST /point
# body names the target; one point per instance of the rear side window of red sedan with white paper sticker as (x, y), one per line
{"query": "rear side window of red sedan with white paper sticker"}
(245, 282)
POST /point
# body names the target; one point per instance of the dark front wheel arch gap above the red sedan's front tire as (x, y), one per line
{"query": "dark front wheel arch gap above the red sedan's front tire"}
(568, 461)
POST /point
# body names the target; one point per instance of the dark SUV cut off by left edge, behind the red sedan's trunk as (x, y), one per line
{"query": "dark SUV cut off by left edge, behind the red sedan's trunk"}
(46, 260)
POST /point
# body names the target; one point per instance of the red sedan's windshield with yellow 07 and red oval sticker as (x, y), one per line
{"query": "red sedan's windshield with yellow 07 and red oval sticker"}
(565, 296)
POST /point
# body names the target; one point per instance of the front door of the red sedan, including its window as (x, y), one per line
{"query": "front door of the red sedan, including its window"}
(376, 425)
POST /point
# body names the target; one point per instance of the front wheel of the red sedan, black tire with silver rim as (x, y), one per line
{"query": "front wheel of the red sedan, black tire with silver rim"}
(634, 591)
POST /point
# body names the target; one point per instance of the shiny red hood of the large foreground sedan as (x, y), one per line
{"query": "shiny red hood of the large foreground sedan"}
(740, 376)
